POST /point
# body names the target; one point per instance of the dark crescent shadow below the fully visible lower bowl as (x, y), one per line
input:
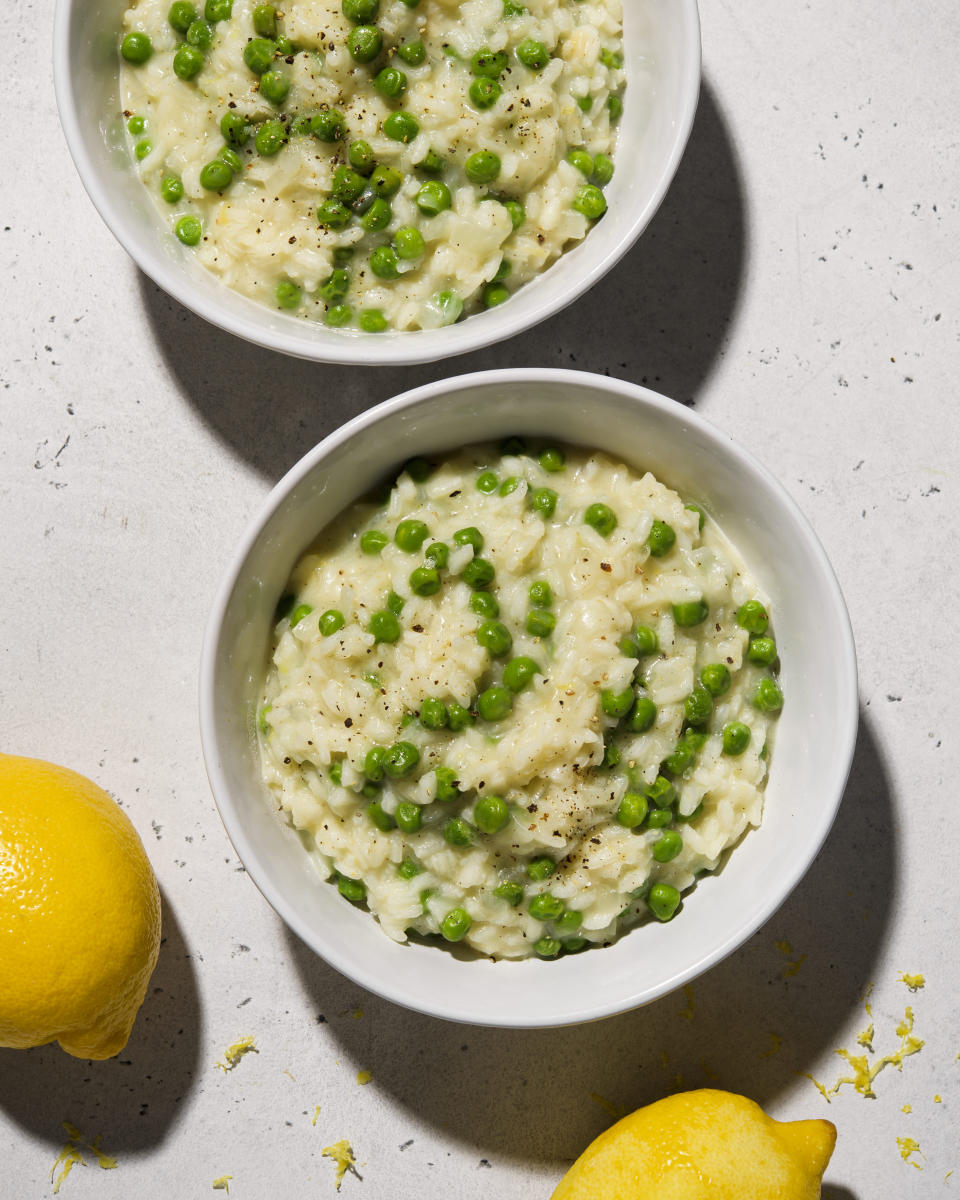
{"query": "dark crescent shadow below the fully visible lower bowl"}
(753, 1024)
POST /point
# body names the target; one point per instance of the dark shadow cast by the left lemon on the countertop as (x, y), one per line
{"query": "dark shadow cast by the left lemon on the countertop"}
(134, 1100)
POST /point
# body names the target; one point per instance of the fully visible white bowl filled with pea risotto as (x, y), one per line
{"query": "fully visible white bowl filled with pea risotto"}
(508, 694)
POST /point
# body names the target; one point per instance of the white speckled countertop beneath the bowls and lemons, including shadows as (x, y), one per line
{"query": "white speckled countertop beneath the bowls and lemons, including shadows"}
(800, 287)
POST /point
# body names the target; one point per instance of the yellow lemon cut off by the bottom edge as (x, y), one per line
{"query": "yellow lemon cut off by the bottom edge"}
(705, 1145)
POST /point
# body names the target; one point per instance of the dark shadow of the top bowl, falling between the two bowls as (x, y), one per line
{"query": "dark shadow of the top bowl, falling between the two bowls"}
(658, 319)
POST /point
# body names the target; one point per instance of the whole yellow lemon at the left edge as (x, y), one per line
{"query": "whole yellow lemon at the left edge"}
(80, 913)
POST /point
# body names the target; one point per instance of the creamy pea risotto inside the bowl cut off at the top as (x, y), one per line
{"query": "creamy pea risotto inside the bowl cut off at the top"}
(376, 164)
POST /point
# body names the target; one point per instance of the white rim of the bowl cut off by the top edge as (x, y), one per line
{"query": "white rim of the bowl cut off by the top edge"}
(393, 350)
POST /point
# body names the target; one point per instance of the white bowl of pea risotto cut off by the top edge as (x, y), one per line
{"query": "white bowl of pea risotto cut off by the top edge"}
(377, 181)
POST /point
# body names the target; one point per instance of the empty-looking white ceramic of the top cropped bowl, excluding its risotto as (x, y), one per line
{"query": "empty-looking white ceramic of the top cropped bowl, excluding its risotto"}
(86, 75)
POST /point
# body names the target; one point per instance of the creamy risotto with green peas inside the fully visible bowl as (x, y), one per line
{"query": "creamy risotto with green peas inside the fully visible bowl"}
(523, 700)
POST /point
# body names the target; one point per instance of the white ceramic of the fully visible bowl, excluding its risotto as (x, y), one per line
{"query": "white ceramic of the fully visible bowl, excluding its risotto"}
(815, 736)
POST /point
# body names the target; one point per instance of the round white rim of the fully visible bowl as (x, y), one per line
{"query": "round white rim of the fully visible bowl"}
(383, 985)
